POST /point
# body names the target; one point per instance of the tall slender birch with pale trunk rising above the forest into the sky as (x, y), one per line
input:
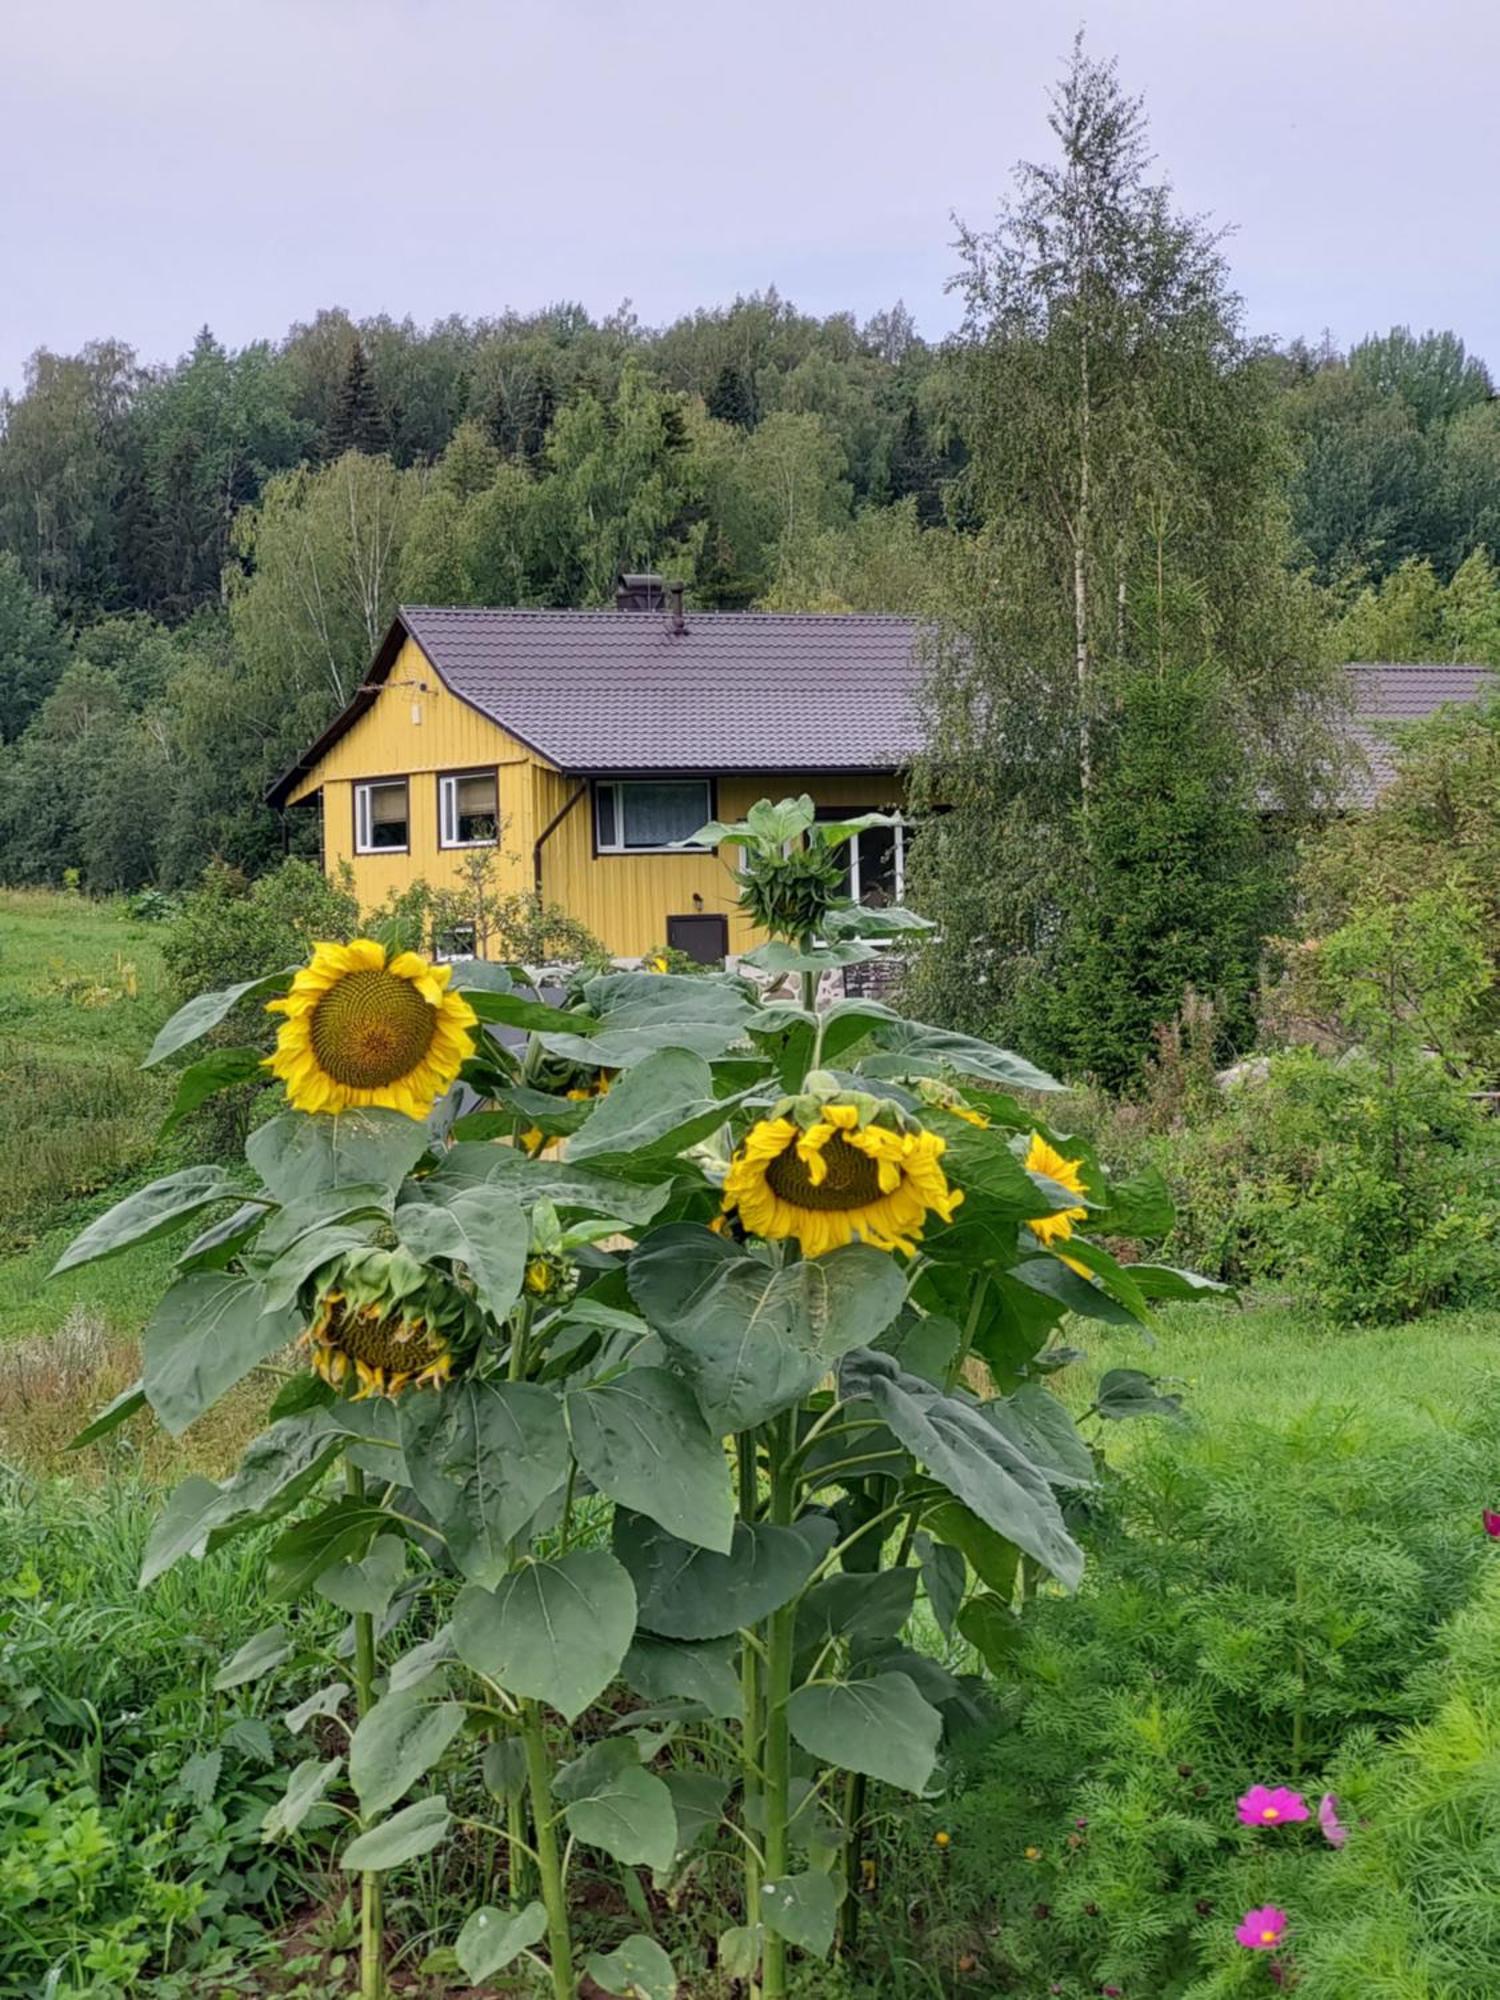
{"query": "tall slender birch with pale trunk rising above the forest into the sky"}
(1127, 479)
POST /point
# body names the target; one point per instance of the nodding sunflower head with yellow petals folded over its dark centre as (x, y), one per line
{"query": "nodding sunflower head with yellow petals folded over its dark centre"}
(835, 1167)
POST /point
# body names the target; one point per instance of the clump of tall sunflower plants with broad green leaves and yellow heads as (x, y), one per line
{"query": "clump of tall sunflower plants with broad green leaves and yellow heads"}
(681, 1217)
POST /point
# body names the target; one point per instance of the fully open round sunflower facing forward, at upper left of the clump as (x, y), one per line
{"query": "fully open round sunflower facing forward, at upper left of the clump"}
(365, 1029)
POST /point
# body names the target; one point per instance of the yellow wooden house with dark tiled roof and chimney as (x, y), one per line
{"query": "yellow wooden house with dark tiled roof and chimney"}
(583, 747)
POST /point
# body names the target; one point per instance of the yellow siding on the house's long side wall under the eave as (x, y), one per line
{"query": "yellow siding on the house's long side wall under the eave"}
(627, 899)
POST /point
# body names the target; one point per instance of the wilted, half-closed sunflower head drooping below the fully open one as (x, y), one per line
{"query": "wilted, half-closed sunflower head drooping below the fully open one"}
(383, 1325)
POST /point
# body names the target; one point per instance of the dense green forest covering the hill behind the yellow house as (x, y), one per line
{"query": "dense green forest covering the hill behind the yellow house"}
(199, 559)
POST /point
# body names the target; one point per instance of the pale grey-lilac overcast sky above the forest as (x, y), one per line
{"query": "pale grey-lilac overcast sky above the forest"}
(173, 163)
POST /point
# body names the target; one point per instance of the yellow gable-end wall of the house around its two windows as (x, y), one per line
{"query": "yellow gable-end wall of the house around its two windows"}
(417, 731)
